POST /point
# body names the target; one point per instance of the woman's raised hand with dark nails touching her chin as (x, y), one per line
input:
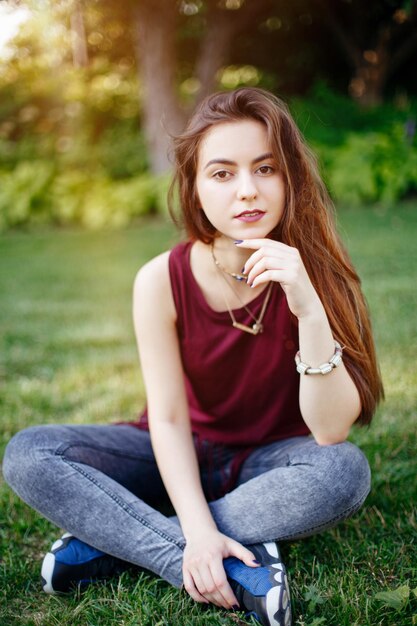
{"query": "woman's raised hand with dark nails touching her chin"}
(275, 261)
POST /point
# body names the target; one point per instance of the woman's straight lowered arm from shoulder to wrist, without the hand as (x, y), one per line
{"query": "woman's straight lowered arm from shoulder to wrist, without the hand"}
(154, 319)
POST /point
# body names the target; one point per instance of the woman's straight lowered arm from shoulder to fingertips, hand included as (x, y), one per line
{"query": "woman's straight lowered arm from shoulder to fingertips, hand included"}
(154, 319)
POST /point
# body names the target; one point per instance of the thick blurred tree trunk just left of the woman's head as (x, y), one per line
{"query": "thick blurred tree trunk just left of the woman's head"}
(155, 25)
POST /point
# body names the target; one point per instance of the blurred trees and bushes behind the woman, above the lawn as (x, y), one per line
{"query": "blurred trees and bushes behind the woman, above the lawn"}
(90, 91)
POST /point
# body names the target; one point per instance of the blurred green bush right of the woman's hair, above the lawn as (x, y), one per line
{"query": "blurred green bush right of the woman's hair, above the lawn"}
(367, 155)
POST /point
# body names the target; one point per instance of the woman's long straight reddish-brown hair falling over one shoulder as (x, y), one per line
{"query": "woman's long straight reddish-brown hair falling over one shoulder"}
(307, 223)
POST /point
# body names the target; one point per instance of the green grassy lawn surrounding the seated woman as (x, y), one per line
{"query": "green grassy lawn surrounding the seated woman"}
(67, 354)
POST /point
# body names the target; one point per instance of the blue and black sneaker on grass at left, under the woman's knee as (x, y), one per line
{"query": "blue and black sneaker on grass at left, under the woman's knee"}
(71, 563)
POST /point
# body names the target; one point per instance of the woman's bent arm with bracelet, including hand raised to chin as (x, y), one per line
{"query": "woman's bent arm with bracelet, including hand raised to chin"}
(329, 404)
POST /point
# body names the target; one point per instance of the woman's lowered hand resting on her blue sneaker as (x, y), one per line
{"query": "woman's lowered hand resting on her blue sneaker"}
(204, 576)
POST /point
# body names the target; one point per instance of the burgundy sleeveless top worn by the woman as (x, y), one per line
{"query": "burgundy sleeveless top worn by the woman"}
(242, 389)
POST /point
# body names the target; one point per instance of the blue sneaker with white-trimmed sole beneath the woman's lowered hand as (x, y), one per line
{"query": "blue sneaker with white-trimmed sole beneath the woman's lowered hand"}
(261, 591)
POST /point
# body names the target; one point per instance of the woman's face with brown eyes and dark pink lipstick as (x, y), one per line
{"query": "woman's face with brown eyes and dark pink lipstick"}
(239, 185)
